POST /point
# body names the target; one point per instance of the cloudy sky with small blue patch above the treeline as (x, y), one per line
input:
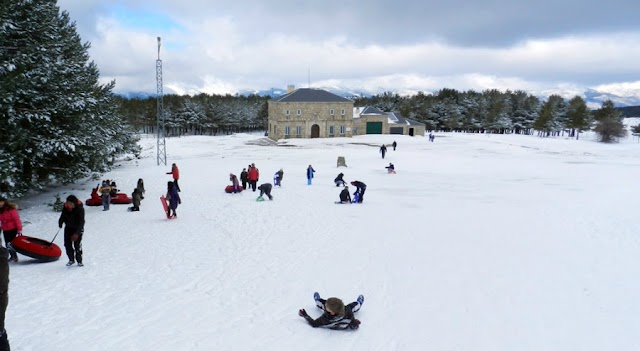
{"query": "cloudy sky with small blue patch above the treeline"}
(218, 47)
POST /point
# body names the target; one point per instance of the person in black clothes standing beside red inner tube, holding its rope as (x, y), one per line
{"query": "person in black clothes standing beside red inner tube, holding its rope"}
(72, 217)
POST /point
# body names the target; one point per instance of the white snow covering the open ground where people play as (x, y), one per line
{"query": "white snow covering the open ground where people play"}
(479, 242)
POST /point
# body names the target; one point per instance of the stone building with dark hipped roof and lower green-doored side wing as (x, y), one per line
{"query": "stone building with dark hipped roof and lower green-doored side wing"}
(316, 113)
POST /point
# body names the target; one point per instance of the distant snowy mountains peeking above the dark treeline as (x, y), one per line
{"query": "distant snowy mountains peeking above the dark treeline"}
(593, 97)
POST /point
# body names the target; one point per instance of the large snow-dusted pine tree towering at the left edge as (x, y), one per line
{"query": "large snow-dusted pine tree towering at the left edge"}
(63, 122)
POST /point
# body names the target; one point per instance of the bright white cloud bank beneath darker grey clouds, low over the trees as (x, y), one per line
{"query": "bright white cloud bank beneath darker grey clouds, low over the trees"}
(220, 54)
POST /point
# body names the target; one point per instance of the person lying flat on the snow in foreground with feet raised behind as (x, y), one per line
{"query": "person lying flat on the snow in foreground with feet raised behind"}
(335, 314)
